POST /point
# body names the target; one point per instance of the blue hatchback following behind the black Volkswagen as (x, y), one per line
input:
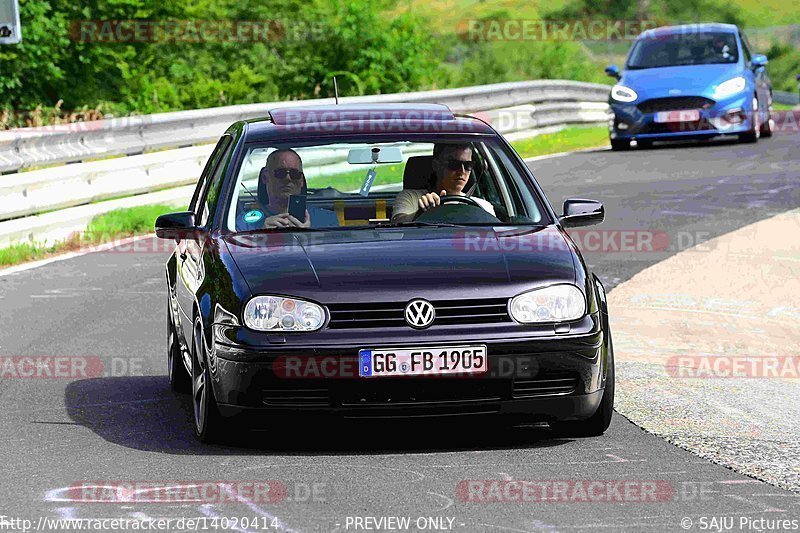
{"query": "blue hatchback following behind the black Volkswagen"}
(690, 82)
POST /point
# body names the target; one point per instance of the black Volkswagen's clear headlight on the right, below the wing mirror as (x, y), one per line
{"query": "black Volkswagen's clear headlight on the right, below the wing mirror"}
(557, 303)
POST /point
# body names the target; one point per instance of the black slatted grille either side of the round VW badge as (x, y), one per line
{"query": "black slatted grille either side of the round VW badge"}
(391, 314)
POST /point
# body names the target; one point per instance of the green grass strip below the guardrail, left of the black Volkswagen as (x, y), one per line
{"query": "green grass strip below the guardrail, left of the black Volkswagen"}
(116, 224)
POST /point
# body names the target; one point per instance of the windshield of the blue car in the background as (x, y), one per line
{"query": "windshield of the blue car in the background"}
(683, 49)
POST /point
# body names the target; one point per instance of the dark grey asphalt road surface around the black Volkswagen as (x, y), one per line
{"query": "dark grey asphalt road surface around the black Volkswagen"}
(126, 427)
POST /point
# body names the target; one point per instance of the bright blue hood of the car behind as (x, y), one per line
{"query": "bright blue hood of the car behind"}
(689, 80)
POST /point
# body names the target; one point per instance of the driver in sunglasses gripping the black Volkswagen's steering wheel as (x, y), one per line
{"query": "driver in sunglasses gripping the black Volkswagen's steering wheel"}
(452, 164)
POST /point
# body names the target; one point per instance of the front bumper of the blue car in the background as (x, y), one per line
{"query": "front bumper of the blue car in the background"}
(729, 116)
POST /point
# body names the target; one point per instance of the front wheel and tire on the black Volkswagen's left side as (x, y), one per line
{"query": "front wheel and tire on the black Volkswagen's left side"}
(208, 424)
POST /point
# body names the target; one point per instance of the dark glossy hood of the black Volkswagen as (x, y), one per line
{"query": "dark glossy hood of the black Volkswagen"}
(399, 264)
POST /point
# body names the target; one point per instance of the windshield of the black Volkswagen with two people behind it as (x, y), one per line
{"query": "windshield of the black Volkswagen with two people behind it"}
(360, 184)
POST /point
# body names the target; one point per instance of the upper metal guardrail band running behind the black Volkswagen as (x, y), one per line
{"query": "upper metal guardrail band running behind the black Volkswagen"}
(70, 143)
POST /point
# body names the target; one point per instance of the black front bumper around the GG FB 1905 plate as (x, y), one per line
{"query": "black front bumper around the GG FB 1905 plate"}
(544, 378)
